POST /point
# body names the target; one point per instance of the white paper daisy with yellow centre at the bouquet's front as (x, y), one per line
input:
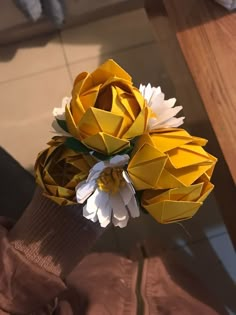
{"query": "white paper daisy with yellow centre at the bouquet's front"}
(109, 193)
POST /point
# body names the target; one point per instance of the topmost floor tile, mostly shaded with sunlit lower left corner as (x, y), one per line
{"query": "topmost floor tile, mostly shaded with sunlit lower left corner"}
(107, 35)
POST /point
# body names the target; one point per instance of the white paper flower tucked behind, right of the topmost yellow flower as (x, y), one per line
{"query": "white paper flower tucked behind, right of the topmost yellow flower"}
(163, 110)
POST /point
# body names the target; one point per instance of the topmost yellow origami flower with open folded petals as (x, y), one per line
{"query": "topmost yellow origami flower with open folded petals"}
(106, 110)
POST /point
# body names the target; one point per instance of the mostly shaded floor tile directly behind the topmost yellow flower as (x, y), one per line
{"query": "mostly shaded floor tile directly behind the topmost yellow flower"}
(143, 63)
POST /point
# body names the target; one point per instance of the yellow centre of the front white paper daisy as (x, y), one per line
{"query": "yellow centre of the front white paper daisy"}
(111, 180)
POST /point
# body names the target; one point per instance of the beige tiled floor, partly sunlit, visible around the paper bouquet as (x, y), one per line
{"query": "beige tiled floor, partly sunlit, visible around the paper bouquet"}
(36, 74)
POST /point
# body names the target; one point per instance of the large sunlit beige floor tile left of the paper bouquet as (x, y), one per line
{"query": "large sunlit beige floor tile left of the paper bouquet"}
(26, 113)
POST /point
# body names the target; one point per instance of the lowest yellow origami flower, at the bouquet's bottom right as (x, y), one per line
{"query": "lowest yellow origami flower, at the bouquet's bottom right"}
(176, 204)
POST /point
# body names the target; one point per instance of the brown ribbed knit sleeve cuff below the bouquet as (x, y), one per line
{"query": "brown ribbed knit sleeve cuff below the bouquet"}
(53, 237)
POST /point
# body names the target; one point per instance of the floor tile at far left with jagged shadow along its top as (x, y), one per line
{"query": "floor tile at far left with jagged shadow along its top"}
(32, 56)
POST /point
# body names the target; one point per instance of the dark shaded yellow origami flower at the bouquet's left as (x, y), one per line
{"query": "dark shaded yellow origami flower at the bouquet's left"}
(58, 170)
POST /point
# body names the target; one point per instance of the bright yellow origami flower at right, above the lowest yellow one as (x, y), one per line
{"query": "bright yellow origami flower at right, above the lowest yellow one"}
(169, 158)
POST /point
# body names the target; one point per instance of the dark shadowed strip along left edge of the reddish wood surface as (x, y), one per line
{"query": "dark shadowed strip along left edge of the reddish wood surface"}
(197, 120)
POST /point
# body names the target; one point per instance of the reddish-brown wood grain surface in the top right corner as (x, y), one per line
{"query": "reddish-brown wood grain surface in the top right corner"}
(207, 35)
